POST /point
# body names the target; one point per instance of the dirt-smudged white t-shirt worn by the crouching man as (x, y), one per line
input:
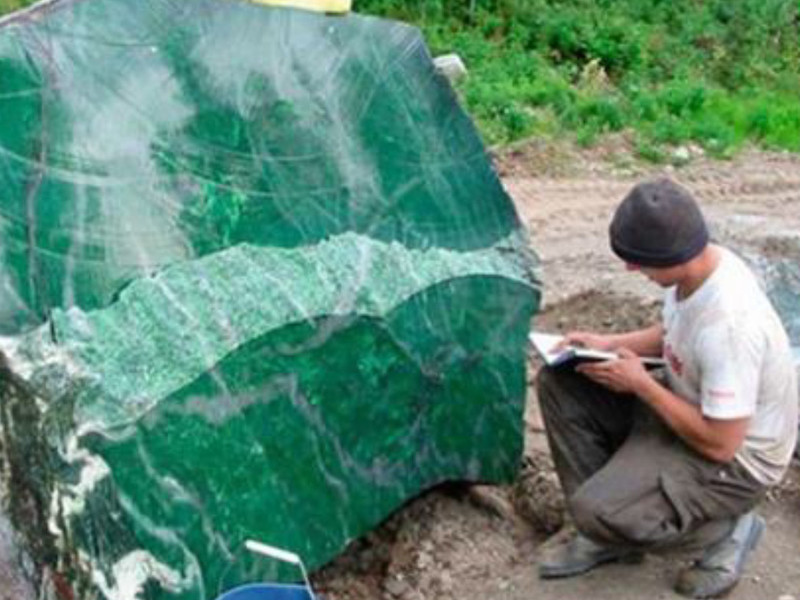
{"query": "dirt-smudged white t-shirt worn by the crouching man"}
(728, 353)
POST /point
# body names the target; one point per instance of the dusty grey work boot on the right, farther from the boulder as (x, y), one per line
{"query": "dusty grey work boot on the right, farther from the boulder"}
(722, 564)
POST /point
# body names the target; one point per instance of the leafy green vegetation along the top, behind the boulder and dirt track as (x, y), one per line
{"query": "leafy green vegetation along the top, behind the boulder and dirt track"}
(717, 73)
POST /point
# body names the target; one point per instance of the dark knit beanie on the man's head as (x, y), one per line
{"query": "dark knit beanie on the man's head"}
(658, 224)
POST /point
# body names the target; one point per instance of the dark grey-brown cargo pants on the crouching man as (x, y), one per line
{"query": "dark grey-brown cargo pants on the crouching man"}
(628, 479)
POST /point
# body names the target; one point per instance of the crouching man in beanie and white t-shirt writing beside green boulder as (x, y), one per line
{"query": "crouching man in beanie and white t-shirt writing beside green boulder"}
(647, 465)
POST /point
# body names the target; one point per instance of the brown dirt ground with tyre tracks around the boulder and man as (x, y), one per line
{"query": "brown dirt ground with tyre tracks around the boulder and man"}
(481, 542)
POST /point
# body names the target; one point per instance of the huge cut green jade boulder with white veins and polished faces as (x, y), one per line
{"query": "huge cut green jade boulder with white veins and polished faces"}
(259, 281)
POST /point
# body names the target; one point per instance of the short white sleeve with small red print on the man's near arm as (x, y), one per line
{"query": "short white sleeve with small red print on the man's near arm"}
(730, 355)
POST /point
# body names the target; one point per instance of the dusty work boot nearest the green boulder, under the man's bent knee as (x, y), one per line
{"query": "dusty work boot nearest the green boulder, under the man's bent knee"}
(578, 554)
